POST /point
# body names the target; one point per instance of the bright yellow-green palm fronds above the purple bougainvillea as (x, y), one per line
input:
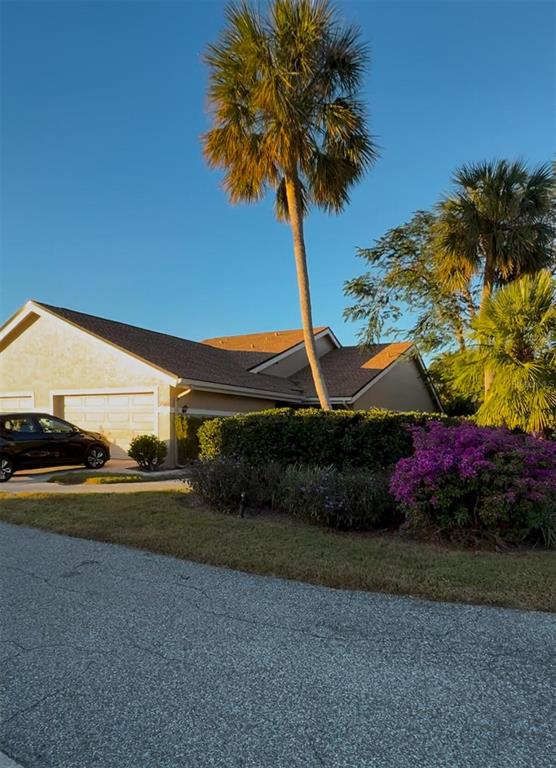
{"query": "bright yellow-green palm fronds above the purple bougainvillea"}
(515, 337)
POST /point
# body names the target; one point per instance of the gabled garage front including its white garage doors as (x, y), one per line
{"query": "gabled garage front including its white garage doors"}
(50, 364)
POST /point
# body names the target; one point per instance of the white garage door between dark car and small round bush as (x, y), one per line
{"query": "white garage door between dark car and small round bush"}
(120, 417)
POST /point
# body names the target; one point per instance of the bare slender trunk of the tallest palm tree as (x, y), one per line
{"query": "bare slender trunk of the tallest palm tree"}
(296, 221)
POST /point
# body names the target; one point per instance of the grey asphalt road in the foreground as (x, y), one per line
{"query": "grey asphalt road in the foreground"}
(116, 658)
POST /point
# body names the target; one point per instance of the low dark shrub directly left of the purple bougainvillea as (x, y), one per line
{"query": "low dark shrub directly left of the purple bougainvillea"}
(351, 500)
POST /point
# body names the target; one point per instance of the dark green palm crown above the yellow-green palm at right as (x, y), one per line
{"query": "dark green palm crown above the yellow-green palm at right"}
(496, 224)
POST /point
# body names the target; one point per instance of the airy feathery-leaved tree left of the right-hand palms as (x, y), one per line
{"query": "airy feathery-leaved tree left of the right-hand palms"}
(403, 282)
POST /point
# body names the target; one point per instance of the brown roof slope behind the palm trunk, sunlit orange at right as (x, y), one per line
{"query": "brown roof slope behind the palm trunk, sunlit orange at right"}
(348, 369)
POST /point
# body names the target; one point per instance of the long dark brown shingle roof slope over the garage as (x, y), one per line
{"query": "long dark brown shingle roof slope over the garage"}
(181, 357)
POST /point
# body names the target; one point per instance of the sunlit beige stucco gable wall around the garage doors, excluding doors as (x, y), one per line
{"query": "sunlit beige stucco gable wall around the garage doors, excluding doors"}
(51, 355)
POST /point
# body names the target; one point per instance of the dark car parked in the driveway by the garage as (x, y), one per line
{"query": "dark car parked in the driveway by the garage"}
(30, 440)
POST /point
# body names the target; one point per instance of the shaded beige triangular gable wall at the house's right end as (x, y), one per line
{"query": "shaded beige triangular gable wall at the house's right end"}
(401, 389)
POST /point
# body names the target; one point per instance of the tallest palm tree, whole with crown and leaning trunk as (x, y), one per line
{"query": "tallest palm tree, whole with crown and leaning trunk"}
(284, 94)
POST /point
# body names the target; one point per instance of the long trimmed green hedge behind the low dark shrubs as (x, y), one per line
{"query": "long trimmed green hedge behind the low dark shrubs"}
(371, 439)
